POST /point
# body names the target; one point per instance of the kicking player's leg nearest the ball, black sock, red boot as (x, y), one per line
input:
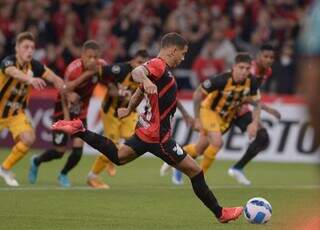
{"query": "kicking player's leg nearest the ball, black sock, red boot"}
(174, 155)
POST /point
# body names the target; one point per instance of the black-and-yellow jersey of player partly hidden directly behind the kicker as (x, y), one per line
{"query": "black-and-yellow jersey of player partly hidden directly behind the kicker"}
(120, 74)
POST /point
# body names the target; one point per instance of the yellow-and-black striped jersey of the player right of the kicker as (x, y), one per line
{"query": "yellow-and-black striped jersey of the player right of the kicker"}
(224, 96)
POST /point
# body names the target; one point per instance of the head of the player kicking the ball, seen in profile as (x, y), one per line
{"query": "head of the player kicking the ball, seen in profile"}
(175, 47)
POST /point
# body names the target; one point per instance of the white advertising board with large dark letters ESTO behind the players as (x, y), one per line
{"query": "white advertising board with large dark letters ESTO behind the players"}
(291, 139)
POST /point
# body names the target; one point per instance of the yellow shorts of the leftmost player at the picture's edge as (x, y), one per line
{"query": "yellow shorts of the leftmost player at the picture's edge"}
(16, 124)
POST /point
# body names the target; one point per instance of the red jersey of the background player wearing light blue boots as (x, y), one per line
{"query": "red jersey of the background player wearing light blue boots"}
(74, 70)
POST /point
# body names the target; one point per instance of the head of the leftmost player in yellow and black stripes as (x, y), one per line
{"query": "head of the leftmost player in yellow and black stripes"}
(25, 46)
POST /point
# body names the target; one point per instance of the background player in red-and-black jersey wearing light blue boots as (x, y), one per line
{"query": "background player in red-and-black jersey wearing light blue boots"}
(81, 75)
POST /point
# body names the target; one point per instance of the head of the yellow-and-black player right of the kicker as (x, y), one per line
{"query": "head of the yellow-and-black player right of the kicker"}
(241, 67)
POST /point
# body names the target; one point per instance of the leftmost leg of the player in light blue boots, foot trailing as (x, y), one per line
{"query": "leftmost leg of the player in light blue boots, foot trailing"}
(59, 140)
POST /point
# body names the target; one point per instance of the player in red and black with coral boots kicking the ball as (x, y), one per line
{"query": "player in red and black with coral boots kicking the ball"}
(153, 130)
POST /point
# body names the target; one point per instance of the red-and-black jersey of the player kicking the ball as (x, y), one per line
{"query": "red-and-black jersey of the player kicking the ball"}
(154, 124)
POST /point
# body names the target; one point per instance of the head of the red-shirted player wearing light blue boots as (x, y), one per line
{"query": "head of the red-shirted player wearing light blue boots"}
(90, 54)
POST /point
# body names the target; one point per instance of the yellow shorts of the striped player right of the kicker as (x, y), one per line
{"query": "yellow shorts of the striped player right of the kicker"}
(211, 121)
